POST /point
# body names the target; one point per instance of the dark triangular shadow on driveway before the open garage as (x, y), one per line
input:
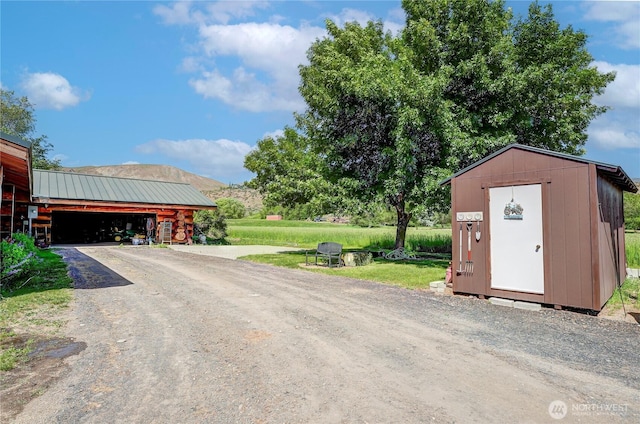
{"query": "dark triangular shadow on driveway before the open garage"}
(87, 273)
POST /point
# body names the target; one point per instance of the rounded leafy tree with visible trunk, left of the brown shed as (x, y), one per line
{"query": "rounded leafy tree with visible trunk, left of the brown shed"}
(380, 127)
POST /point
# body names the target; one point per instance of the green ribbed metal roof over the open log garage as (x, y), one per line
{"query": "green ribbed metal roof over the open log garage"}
(82, 187)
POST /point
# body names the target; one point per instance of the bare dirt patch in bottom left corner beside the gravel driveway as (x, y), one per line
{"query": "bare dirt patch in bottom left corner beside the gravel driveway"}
(43, 367)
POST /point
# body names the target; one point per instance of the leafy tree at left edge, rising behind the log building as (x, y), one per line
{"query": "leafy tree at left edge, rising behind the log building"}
(17, 118)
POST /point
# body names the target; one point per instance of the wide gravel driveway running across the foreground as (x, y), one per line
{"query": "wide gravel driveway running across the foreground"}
(174, 337)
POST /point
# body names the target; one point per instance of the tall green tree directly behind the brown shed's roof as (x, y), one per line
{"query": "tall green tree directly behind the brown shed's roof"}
(526, 80)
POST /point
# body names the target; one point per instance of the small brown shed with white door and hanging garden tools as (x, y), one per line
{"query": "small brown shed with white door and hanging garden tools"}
(539, 226)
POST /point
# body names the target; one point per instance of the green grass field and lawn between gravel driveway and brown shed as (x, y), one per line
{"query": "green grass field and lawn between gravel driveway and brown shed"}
(306, 235)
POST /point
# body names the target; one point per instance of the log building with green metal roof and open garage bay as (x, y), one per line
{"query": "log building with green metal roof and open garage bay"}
(64, 207)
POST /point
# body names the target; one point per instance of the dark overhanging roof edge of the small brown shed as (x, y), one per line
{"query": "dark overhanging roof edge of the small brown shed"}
(614, 172)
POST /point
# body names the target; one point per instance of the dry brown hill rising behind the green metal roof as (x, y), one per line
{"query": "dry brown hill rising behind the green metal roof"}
(151, 172)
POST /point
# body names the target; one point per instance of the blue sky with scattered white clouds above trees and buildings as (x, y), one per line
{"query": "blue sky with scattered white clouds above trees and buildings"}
(196, 84)
